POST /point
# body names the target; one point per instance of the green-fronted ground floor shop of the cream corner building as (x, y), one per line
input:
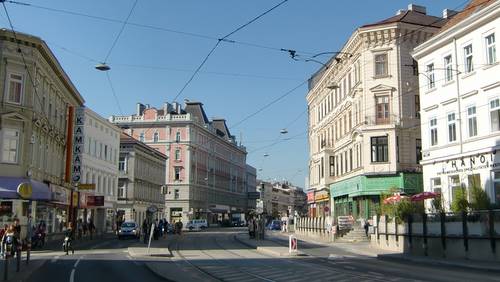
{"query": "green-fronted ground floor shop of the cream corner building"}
(359, 196)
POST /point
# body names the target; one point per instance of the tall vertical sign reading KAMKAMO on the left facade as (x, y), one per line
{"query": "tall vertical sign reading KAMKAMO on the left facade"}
(78, 145)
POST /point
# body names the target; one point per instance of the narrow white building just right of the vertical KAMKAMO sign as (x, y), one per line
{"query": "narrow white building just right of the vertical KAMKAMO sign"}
(100, 167)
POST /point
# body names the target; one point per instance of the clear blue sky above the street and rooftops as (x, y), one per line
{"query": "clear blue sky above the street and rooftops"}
(151, 65)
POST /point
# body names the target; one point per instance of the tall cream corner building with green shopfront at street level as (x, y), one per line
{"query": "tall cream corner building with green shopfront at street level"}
(364, 134)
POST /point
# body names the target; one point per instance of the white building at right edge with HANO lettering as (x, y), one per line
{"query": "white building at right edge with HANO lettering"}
(460, 101)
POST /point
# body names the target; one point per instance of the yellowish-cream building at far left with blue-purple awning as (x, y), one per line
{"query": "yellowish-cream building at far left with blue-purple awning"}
(35, 100)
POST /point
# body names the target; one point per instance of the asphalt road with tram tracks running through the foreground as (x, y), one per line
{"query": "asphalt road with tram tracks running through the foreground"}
(215, 255)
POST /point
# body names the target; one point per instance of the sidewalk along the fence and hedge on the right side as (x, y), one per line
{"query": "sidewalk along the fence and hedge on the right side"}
(365, 249)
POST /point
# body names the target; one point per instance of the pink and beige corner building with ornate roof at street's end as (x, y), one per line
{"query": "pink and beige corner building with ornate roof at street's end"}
(206, 168)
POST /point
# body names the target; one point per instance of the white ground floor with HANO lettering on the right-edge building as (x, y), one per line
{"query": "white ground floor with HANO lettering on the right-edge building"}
(450, 176)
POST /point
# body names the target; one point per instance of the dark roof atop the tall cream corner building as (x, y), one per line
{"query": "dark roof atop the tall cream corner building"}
(411, 17)
